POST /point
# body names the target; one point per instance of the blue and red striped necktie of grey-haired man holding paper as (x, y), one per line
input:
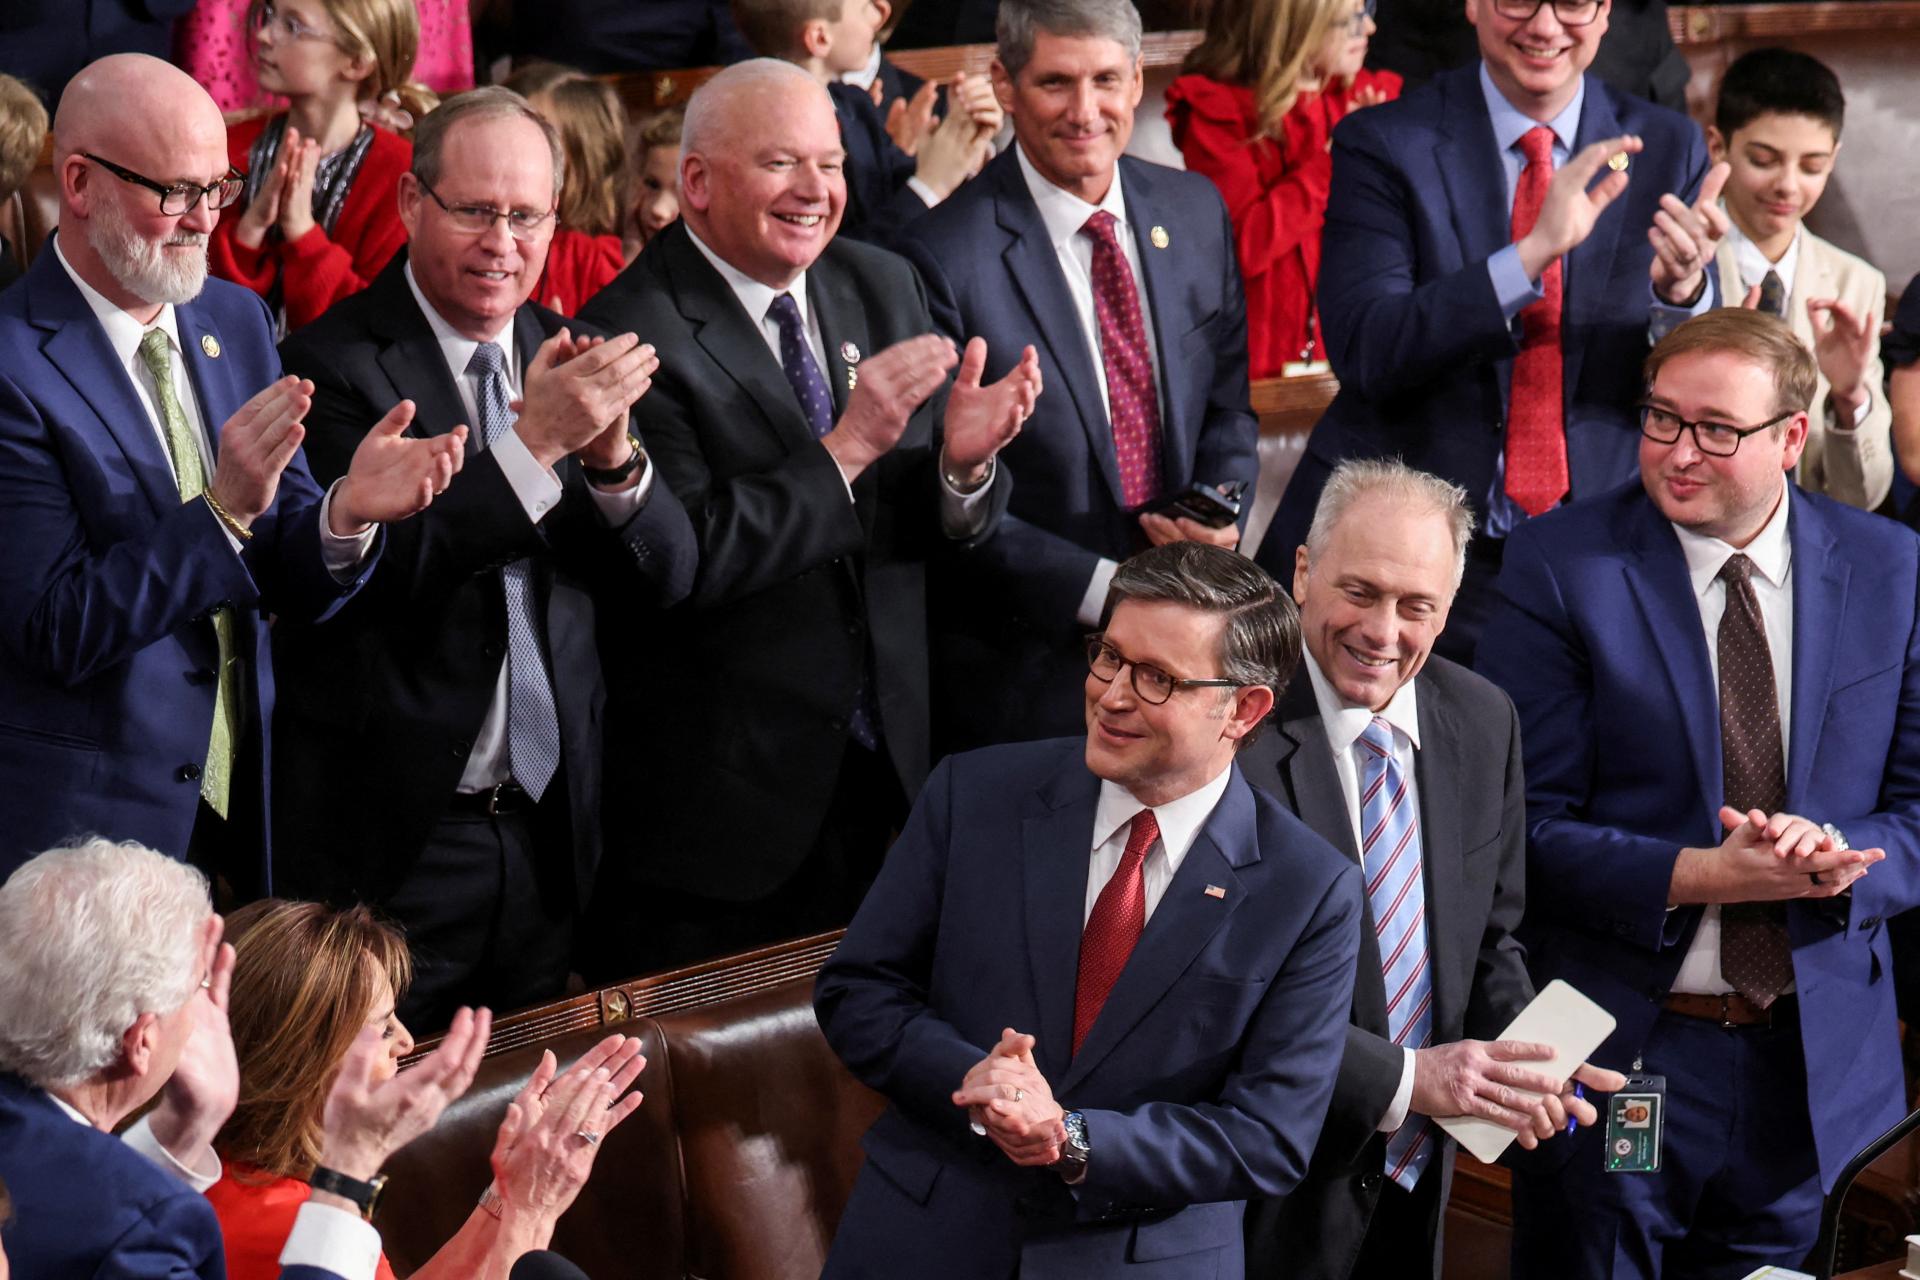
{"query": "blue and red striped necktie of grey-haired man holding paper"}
(1397, 901)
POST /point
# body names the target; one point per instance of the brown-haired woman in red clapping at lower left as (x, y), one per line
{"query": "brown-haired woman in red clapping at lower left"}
(308, 980)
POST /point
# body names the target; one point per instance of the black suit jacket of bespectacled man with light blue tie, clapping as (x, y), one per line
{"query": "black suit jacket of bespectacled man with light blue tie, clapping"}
(383, 703)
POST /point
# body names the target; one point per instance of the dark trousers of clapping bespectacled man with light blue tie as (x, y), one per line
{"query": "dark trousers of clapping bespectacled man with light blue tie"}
(489, 913)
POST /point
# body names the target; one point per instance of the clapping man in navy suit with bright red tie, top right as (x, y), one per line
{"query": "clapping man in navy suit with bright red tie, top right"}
(1483, 298)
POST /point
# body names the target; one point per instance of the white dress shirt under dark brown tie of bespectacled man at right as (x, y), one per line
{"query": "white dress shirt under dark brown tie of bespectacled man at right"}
(1773, 586)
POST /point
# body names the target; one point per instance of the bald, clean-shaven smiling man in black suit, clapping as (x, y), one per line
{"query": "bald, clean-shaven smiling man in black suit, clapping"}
(807, 415)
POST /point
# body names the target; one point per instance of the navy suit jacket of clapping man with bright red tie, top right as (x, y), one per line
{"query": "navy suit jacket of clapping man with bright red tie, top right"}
(1410, 316)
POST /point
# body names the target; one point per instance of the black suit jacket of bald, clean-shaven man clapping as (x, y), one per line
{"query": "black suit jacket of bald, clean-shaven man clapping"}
(732, 732)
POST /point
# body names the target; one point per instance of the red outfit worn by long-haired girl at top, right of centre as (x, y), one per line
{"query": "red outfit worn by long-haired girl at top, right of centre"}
(1276, 197)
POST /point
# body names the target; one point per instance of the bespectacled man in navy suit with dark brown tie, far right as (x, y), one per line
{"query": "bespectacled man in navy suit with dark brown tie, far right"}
(1719, 690)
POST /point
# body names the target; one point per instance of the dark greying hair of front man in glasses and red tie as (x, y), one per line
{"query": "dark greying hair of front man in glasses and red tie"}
(1260, 644)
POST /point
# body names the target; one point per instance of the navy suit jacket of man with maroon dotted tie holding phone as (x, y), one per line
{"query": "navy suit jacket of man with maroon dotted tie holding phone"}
(1007, 617)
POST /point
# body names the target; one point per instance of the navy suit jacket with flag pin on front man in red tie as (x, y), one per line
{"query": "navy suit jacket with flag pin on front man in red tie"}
(1205, 1079)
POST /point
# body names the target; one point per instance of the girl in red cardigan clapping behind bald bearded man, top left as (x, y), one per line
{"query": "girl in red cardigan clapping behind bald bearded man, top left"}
(322, 216)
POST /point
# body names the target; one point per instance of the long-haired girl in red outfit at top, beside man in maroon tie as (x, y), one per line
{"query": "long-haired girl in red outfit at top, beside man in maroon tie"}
(1255, 110)
